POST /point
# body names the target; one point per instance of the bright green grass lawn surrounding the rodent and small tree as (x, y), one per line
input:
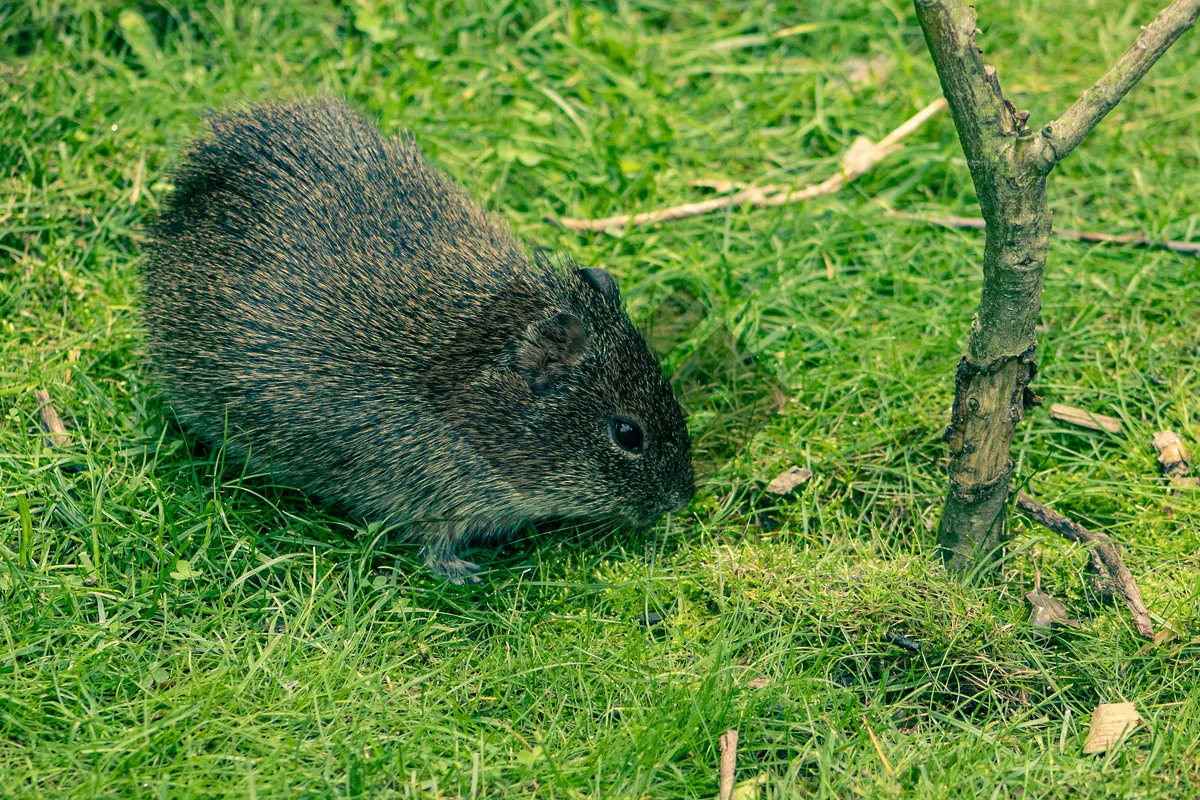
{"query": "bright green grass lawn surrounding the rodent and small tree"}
(297, 655)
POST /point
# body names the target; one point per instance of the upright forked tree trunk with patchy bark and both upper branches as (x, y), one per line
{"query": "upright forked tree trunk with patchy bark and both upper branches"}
(1009, 164)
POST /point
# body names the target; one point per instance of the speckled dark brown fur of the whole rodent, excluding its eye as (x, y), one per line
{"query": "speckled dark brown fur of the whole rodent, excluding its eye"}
(335, 311)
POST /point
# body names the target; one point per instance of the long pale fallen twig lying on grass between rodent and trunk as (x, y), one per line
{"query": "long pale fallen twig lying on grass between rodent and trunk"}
(855, 163)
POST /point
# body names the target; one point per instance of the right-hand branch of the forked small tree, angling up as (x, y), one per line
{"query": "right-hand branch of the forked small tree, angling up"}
(1063, 136)
